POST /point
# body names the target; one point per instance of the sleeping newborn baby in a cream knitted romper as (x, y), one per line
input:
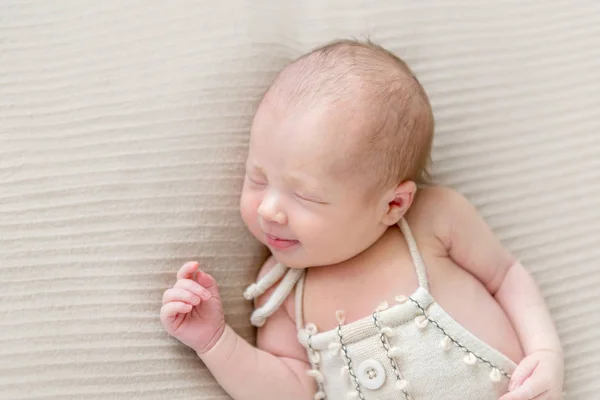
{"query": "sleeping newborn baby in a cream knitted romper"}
(406, 293)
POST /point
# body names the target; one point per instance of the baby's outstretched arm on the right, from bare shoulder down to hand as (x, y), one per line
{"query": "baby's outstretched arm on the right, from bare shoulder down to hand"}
(473, 246)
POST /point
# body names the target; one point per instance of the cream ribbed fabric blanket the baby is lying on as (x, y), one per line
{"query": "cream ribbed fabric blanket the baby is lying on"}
(123, 129)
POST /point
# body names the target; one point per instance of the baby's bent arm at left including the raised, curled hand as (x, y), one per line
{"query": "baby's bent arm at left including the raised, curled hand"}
(192, 313)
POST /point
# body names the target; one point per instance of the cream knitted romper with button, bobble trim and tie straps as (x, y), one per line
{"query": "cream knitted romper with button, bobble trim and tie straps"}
(410, 350)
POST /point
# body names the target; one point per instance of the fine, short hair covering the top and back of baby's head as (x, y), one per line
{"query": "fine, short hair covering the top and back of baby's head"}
(396, 143)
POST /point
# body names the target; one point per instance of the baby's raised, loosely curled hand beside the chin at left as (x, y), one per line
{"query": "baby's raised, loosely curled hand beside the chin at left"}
(192, 310)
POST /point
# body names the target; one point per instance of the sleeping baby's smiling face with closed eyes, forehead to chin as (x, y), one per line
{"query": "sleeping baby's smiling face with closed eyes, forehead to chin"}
(295, 201)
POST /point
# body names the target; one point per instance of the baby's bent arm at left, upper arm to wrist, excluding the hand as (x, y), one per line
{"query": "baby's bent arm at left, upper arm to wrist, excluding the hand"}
(276, 370)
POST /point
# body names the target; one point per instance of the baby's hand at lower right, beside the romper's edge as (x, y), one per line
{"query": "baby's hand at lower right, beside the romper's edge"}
(539, 376)
